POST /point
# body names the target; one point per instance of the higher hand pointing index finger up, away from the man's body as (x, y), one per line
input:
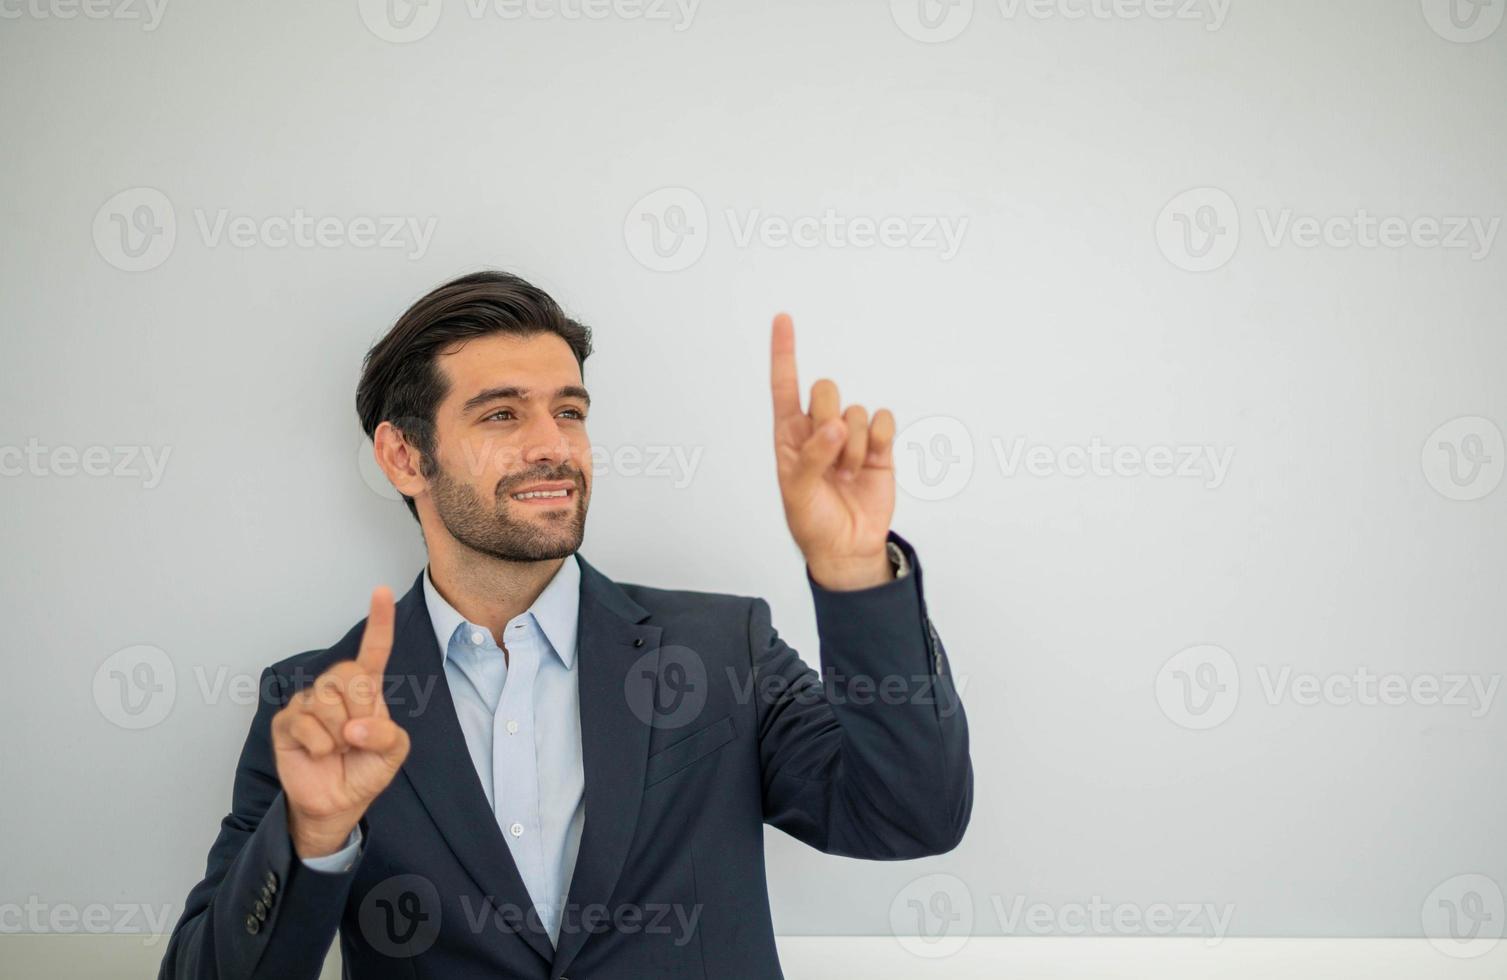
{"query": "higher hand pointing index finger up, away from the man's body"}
(837, 474)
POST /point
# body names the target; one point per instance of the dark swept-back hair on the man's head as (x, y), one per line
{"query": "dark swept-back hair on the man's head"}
(400, 379)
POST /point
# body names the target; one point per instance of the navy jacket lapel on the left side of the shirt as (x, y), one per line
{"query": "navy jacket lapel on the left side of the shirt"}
(441, 770)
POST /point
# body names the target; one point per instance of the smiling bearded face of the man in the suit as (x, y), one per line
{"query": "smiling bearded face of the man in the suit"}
(515, 420)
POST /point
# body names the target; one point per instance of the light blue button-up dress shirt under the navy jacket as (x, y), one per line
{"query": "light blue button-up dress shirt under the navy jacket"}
(522, 724)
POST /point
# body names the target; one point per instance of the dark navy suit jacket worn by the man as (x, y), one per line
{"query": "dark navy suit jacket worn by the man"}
(698, 726)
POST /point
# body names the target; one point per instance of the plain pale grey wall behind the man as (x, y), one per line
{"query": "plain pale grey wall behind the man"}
(1066, 319)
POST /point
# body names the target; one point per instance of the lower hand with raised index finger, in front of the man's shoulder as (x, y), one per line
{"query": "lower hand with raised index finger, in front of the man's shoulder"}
(335, 744)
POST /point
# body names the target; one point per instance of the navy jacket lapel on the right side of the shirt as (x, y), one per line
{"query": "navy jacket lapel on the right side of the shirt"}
(617, 660)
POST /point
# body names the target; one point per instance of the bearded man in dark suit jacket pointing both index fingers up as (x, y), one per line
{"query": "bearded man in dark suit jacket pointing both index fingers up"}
(527, 770)
